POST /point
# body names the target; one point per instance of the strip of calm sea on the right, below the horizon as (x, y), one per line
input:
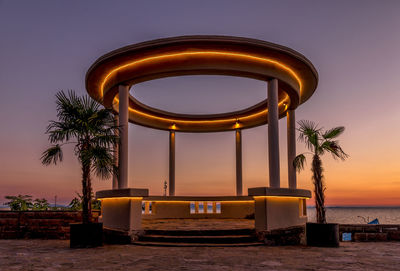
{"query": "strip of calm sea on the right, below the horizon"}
(358, 215)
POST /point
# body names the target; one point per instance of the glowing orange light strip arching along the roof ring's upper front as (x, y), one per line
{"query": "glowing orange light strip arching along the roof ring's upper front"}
(165, 56)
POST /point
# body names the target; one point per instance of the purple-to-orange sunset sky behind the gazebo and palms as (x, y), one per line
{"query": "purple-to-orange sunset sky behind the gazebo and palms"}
(47, 46)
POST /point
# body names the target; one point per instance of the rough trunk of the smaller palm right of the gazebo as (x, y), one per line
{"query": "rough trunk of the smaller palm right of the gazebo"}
(319, 189)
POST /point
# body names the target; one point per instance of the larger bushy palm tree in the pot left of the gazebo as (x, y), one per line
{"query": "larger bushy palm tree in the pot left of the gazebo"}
(91, 129)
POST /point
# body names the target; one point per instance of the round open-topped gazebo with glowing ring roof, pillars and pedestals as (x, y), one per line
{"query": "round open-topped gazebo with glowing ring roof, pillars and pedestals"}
(291, 78)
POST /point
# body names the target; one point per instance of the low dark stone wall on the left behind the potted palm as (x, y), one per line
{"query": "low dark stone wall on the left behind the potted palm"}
(37, 224)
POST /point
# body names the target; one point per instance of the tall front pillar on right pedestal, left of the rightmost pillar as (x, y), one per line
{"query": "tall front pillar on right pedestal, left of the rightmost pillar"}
(273, 134)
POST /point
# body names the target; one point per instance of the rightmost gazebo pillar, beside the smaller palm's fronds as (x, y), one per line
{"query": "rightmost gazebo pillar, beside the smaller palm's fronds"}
(291, 144)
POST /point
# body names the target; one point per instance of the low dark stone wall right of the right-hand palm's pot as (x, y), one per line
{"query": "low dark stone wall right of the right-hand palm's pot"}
(371, 233)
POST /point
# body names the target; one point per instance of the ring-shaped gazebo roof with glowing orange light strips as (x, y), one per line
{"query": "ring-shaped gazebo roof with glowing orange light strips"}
(202, 55)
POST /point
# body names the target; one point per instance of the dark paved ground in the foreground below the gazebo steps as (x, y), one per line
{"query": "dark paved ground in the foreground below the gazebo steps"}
(56, 255)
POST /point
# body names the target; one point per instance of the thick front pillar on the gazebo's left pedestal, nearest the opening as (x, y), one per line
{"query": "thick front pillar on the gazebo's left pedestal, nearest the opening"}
(123, 147)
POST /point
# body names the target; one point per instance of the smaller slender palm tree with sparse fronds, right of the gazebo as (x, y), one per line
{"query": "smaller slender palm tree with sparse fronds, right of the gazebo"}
(318, 142)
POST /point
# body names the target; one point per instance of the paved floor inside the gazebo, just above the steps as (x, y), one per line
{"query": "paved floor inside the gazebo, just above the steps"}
(197, 224)
